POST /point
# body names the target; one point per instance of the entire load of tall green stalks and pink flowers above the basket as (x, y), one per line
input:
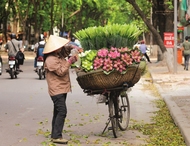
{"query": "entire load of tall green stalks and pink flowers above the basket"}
(109, 48)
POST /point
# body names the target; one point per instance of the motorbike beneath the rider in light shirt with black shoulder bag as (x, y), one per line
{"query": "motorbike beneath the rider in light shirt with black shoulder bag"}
(12, 67)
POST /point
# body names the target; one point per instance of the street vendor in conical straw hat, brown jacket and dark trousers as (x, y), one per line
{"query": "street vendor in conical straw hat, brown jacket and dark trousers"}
(58, 80)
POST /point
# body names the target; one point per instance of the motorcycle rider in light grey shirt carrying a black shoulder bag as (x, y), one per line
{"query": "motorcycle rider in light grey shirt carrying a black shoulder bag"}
(12, 47)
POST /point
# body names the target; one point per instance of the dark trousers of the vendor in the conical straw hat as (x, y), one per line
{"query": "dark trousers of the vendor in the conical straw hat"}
(59, 115)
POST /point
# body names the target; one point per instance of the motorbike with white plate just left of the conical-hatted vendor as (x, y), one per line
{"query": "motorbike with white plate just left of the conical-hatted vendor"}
(40, 67)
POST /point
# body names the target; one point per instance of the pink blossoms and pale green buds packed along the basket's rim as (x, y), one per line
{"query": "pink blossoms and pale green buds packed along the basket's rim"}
(112, 59)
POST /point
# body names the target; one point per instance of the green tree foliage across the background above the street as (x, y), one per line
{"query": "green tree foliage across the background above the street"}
(70, 15)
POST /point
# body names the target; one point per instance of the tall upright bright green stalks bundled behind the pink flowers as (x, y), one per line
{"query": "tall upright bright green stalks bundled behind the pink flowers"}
(116, 35)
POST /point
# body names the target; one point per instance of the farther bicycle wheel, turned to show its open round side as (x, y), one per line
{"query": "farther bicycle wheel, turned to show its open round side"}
(124, 112)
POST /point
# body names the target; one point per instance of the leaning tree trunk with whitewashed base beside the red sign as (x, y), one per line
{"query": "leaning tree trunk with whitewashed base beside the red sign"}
(155, 33)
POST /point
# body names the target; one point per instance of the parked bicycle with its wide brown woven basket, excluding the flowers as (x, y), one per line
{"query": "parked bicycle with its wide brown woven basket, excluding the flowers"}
(113, 87)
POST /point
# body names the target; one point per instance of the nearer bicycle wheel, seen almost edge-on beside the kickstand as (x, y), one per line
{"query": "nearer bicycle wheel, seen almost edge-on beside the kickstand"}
(113, 117)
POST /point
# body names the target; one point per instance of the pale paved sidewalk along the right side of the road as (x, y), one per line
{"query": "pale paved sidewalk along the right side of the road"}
(175, 90)
